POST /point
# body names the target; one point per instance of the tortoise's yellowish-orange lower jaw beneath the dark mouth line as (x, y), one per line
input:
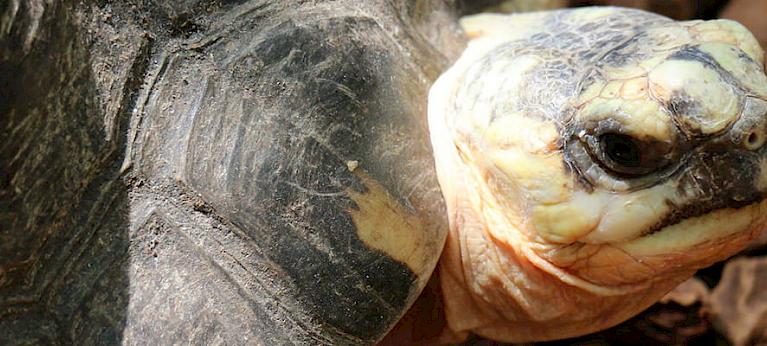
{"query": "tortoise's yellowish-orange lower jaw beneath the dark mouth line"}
(617, 268)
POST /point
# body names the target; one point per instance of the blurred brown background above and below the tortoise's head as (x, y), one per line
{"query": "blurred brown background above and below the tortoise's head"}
(725, 304)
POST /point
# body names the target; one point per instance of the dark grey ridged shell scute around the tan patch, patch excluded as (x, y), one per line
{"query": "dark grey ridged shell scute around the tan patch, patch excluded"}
(317, 100)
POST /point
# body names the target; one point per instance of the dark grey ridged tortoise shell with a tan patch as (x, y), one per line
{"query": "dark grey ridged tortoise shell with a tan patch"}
(255, 173)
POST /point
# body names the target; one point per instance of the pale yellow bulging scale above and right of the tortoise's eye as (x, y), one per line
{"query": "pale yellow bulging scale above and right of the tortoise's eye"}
(694, 81)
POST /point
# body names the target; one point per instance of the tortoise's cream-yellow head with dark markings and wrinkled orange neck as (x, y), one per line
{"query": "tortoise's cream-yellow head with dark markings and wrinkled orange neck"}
(591, 160)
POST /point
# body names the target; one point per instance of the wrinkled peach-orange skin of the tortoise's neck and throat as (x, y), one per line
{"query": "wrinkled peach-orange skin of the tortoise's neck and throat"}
(499, 280)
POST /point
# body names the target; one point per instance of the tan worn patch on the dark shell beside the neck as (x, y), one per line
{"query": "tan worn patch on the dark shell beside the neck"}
(383, 224)
